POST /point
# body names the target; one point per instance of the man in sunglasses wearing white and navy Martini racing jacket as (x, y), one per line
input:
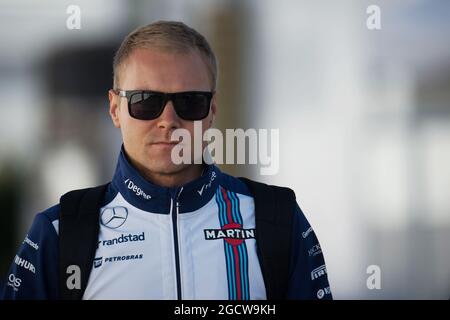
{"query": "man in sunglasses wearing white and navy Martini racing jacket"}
(166, 230)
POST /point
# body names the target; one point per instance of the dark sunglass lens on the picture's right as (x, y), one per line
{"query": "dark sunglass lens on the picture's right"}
(192, 106)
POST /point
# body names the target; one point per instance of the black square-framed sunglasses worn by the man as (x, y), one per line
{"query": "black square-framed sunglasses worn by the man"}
(149, 105)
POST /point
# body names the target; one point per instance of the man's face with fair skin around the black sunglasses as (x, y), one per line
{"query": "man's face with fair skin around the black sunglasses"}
(147, 142)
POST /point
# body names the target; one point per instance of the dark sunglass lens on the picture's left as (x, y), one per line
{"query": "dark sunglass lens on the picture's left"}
(146, 106)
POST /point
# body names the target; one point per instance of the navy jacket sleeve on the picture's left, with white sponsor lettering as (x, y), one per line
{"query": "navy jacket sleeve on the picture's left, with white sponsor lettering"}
(34, 271)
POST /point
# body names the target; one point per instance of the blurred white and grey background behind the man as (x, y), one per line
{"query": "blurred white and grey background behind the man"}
(364, 119)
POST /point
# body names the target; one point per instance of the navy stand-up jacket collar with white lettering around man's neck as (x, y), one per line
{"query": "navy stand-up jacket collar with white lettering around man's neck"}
(148, 196)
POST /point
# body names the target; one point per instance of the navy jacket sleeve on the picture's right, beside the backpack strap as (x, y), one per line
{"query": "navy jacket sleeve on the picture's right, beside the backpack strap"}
(308, 274)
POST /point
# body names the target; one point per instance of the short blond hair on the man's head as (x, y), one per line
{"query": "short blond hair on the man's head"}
(170, 36)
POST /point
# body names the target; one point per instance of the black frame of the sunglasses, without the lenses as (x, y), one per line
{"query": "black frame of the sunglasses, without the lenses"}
(166, 98)
